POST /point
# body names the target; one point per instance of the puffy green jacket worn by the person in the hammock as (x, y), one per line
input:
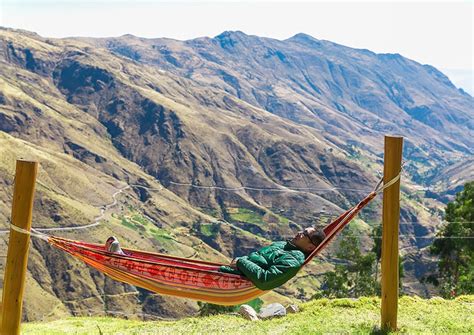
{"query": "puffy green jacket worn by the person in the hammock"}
(270, 266)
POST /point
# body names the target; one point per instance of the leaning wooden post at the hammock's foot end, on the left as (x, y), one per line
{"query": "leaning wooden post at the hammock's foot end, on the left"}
(17, 257)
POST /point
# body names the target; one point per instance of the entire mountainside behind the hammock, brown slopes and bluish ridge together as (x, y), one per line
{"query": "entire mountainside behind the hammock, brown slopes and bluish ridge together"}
(170, 118)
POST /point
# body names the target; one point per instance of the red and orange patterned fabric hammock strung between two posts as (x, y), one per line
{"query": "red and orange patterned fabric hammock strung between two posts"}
(182, 277)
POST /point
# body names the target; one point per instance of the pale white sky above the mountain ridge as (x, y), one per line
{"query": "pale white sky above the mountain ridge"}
(431, 32)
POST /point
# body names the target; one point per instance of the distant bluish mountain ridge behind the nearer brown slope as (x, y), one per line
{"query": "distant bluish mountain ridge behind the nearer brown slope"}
(342, 92)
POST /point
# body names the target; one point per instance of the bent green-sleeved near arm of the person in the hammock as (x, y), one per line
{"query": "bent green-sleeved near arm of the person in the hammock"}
(277, 274)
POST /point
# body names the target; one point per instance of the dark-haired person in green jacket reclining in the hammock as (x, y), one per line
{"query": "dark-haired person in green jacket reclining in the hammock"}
(274, 265)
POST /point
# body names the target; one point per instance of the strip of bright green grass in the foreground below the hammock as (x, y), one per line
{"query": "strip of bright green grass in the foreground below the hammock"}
(338, 316)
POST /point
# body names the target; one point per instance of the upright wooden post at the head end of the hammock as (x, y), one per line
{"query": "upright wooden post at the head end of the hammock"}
(390, 223)
